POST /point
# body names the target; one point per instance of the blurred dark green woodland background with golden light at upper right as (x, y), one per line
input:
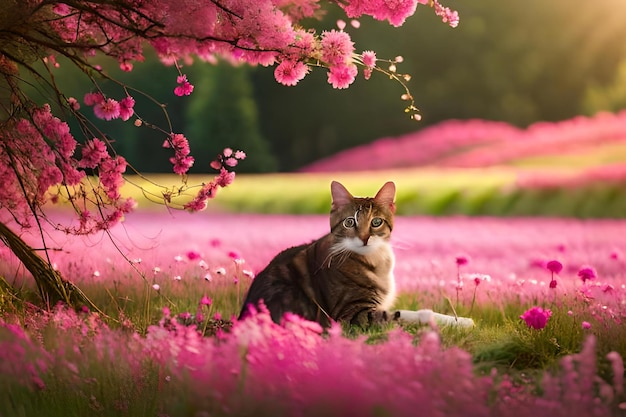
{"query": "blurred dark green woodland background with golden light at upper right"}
(518, 62)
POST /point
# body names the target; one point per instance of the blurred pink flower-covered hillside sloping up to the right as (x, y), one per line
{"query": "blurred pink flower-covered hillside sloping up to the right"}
(581, 142)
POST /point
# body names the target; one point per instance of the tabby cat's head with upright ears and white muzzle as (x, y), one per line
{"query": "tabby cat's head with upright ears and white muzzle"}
(362, 225)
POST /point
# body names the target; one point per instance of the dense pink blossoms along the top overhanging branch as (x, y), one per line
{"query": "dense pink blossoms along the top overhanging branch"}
(264, 32)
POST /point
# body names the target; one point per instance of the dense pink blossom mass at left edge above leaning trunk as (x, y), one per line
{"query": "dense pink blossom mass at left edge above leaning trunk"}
(38, 164)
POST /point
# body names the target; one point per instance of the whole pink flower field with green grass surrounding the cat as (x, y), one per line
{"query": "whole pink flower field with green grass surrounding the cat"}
(162, 279)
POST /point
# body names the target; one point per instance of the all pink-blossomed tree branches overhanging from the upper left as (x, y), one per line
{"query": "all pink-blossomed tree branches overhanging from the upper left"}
(41, 161)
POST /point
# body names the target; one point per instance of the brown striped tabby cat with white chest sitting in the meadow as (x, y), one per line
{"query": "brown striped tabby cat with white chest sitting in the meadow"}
(345, 276)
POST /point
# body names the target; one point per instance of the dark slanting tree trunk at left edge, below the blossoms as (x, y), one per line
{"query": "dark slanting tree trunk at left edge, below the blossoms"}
(51, 285)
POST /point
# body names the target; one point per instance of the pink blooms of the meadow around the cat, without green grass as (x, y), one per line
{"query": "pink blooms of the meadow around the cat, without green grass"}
(289, 369)
